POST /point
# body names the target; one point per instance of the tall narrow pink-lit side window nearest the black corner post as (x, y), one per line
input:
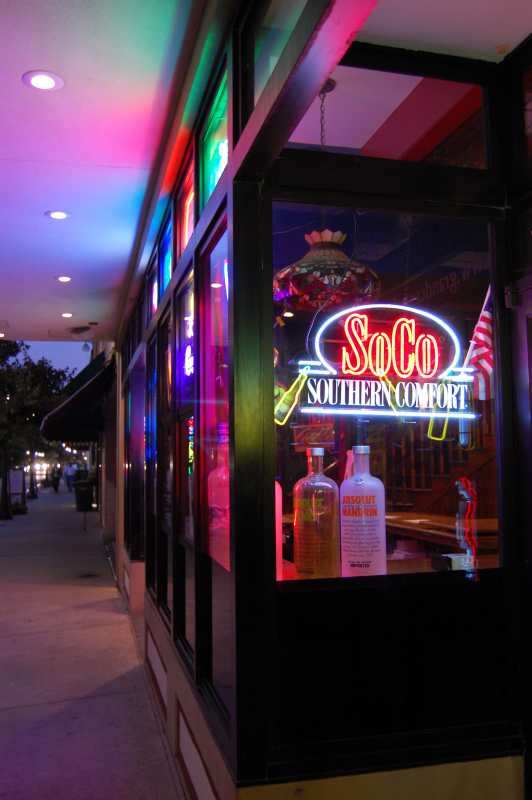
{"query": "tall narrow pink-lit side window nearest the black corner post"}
(215, 457)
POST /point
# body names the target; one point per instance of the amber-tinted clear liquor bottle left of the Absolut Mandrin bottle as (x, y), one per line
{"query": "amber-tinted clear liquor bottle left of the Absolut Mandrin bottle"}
(316, 535)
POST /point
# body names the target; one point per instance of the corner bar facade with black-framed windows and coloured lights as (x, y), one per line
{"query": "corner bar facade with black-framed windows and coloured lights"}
(324, 415)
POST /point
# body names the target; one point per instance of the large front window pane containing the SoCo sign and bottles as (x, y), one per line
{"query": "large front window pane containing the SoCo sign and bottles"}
(384, 394)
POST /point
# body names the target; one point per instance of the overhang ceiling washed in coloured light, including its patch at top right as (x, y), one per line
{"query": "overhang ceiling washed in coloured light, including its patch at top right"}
(92, 148)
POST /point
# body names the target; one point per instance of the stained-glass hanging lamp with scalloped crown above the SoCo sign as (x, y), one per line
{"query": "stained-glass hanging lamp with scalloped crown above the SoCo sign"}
(324, 270)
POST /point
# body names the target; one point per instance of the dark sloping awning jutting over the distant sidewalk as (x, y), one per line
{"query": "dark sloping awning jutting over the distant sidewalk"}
(80, 418)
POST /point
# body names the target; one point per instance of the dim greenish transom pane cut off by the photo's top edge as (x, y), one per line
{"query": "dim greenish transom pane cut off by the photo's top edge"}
(271, 37)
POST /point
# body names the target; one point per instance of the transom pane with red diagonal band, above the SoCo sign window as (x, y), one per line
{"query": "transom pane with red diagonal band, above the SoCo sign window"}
(403, 117)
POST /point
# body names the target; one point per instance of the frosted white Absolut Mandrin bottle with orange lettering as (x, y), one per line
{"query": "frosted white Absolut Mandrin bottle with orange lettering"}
(362, 520)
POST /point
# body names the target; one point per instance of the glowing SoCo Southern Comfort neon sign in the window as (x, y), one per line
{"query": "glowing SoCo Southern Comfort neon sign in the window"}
(386, 360)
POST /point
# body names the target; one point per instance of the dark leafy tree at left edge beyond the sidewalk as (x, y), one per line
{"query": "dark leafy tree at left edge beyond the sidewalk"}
(28, 391)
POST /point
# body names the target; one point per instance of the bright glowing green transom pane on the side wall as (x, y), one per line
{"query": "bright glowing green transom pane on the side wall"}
(214, 144)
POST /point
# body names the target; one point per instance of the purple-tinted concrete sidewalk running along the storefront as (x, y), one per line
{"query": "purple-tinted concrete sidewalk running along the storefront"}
(77, 713)
